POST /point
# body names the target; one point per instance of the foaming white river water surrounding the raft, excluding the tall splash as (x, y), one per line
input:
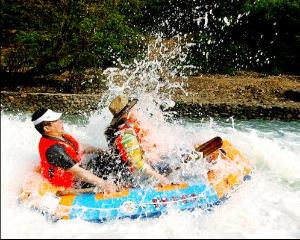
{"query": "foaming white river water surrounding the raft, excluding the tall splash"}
(267, 206)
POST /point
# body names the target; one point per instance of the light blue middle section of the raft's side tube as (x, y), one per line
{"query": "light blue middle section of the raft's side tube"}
(140, 203)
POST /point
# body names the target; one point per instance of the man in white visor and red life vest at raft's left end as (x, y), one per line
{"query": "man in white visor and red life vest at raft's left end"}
(61, 154)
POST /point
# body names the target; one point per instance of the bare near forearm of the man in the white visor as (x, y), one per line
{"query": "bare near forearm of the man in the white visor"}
(89, 177)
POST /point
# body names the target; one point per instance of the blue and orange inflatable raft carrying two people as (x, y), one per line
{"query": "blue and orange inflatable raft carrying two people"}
(142, 202)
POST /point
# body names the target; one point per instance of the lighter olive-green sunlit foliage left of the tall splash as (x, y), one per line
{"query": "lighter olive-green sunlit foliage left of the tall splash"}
(52, 36)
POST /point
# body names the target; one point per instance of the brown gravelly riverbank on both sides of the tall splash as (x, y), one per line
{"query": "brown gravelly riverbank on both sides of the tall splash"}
(243, 96)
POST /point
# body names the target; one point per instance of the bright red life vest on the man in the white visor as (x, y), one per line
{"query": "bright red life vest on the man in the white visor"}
(56, 175)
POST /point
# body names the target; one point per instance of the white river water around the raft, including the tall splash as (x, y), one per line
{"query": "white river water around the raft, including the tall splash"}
(268, 206)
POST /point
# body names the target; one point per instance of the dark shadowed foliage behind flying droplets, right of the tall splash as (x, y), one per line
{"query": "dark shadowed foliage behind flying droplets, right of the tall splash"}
(261, 35)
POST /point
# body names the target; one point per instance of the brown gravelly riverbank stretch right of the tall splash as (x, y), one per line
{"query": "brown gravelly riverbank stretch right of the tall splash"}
(244, 96)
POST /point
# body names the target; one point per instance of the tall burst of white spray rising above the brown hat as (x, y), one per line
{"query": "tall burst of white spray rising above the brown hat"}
(152, 79)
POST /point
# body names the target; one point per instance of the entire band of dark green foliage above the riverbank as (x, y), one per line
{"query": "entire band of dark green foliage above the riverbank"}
(52, 36)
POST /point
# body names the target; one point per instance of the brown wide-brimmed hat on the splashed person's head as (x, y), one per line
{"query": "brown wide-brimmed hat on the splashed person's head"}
(119, 106)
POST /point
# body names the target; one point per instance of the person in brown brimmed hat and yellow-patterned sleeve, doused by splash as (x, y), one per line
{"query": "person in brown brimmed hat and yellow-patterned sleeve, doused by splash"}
(124, 139)
